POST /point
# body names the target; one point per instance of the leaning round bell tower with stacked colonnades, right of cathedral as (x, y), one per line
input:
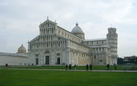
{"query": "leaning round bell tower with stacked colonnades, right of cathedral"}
(112, 37)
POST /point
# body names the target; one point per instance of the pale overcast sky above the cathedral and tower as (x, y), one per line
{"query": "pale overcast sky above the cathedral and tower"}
(20, 19)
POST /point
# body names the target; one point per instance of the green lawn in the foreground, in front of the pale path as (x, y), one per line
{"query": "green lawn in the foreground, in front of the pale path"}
(65, 78)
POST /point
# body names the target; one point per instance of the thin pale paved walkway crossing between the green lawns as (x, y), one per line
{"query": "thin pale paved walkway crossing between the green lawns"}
(72, 70)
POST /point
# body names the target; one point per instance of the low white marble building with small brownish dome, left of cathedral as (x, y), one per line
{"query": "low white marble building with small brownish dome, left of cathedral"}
(19, 58)
